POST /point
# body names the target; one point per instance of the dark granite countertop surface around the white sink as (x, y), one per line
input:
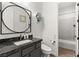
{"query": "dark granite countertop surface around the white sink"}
(9, 46)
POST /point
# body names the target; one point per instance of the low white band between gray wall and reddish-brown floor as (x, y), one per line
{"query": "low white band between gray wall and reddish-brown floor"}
(67, 44)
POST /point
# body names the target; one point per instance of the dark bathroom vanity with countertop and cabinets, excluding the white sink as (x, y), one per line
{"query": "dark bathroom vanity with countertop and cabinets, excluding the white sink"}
(31, 49)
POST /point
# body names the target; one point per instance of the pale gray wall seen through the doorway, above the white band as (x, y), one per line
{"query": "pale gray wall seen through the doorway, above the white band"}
(66, 21)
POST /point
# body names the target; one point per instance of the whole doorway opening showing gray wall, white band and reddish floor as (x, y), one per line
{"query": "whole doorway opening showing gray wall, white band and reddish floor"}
(67, 29)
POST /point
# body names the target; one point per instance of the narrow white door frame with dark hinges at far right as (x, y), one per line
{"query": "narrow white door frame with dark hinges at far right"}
(76, 29)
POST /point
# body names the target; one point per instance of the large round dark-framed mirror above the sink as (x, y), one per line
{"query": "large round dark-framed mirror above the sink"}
(16, 19)
